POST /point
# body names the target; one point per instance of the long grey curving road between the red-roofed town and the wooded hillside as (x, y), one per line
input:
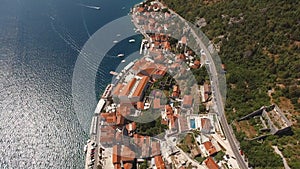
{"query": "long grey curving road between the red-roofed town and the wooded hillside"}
(217, 95)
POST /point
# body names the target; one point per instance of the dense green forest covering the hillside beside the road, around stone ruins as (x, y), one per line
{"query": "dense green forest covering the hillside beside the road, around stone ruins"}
(260, 44)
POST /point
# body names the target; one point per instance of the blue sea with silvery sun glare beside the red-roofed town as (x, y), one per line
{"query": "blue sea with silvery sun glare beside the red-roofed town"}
(41, 43)
